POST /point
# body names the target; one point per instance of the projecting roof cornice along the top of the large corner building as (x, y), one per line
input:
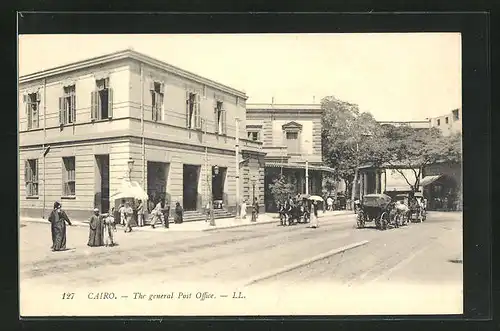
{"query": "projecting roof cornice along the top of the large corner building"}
(133, 55)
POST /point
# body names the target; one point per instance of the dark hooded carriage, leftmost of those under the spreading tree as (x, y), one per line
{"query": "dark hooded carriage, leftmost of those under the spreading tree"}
(375, 208)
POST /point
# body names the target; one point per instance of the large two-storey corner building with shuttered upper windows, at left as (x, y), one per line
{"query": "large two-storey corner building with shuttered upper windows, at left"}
(82, 125)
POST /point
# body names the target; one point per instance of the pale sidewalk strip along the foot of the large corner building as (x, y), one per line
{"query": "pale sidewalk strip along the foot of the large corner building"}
(225, 223)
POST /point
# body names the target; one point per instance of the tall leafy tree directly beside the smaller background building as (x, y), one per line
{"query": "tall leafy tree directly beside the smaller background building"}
(344, 142)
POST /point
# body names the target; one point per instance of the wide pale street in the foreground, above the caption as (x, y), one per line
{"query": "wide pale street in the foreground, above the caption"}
(421, 254)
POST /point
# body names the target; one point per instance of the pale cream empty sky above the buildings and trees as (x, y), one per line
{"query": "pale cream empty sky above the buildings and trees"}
(394, 76)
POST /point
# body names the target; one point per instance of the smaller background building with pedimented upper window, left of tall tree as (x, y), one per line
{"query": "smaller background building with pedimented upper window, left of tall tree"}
(291, 137)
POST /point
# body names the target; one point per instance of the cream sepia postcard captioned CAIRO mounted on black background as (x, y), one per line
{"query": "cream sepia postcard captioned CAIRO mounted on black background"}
(240, 174)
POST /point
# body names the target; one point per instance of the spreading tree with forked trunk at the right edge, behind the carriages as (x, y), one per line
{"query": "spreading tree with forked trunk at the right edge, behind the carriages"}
(405, 147)
